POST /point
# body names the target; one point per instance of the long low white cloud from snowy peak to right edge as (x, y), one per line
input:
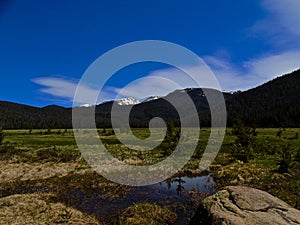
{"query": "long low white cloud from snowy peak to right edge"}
(230, 77)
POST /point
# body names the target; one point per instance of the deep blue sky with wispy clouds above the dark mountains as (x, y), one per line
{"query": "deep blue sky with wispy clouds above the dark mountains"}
(46, 46)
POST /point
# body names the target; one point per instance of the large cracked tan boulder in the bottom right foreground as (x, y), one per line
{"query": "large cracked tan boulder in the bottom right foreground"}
(236, 205)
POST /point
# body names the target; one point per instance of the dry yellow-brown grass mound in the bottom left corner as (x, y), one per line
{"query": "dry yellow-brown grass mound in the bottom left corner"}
(37, 209)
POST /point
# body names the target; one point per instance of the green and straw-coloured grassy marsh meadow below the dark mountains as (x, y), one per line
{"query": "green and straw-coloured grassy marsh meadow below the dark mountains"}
(48, 165)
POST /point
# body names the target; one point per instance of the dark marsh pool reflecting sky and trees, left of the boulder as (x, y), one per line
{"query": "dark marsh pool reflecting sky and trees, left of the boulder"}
(180, 190)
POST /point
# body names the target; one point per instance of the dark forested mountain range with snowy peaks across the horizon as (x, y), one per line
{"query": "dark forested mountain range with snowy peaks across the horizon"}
(273, 104)
